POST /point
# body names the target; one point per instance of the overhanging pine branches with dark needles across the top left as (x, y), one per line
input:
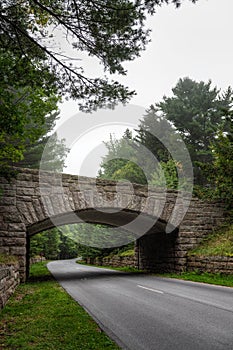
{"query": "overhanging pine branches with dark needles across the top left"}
(111, 31)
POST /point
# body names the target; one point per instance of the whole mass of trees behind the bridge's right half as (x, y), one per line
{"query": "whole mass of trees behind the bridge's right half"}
(201, 115)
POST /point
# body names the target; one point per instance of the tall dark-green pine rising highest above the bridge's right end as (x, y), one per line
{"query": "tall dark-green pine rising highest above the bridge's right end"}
(196, 110)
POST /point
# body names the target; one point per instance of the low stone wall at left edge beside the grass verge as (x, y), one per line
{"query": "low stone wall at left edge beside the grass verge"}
(9, 280)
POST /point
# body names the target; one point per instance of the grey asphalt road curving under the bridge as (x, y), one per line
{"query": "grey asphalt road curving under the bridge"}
(142, 312)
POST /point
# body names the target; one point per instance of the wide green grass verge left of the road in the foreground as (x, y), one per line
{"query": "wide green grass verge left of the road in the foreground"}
(41, 315)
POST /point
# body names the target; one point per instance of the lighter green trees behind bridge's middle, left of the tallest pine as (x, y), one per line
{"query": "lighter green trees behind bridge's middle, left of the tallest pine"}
(146, 157)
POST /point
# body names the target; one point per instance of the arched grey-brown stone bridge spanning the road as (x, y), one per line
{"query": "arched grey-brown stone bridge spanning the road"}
(165, 224)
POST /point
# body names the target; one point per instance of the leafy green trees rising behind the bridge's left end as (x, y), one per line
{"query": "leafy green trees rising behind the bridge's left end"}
(28, 107)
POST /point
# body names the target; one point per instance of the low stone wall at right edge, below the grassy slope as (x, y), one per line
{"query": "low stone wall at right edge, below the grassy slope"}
(212, 264)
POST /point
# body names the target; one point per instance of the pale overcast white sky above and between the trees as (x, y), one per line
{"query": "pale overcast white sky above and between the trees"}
(194, 41)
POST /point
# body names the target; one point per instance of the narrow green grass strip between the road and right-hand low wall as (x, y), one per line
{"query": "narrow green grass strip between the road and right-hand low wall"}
(218, 279)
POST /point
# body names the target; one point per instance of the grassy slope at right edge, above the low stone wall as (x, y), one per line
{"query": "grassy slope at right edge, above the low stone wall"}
(219, 243)
